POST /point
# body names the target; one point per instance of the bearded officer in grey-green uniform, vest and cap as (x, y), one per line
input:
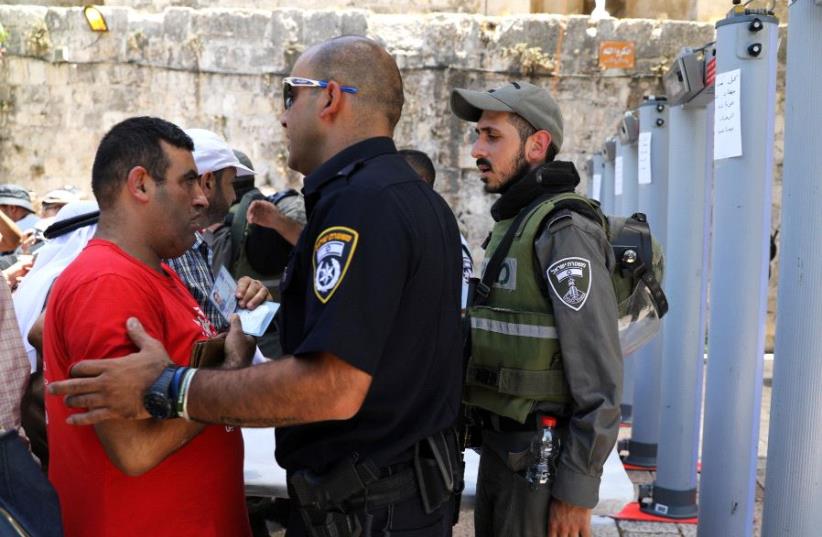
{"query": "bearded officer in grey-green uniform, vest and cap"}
(546, 341)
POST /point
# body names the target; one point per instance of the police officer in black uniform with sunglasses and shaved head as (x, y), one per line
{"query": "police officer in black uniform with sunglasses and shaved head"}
(366, 397)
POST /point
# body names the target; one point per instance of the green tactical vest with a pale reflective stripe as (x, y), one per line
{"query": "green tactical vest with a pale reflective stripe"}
(516, 360)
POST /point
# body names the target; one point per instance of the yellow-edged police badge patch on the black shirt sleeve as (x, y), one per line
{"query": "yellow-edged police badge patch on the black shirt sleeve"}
(333, 251)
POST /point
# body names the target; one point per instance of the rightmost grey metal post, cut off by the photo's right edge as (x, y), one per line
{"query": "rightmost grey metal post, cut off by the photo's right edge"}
(792, 504)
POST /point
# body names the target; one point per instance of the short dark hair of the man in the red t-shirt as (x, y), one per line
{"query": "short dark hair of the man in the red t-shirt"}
(130, 143)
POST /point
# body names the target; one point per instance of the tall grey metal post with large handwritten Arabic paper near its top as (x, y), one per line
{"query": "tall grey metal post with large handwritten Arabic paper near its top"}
(743, 153)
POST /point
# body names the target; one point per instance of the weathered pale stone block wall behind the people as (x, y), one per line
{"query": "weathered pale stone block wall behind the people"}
(62, 87)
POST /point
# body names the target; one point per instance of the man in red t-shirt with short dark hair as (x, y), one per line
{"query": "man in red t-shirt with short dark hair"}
(146, 477)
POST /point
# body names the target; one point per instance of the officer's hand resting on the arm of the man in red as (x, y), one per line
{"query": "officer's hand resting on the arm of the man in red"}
(113, 388)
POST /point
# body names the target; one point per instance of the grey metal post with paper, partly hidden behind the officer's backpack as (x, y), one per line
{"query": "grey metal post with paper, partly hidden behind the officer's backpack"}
(652, 188)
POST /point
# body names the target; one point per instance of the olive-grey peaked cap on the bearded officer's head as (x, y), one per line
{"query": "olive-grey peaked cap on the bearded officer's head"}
(532, 103)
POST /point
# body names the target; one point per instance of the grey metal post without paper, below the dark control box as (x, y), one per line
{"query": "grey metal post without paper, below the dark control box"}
(674, 490)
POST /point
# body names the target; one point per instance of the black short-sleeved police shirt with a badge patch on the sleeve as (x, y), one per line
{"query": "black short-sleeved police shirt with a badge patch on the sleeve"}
(375, 279)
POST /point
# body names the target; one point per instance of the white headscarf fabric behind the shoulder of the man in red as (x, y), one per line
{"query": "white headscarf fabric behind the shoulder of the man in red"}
(52, 258)
